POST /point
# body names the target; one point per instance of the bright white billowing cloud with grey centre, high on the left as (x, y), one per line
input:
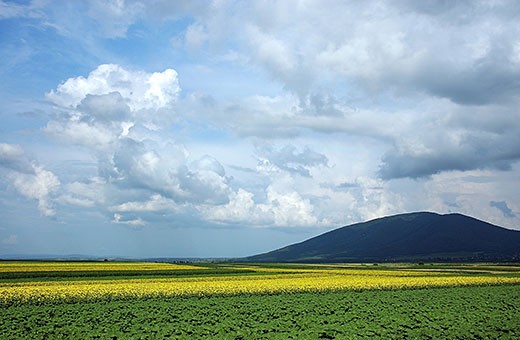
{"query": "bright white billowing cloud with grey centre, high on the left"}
(101, 108)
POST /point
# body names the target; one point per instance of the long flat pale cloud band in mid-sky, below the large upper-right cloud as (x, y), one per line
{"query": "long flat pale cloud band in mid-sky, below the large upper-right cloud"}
(285, 117)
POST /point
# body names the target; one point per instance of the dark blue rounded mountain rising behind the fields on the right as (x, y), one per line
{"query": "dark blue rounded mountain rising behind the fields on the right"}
(421, 236)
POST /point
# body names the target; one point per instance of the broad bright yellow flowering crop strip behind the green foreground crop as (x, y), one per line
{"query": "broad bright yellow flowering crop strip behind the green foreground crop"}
(265, 280)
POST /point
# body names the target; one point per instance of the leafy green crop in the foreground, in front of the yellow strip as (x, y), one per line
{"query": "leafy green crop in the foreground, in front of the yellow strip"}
(461, 312)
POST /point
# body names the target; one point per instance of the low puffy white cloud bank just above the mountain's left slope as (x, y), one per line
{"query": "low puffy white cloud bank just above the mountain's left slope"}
(286, 202)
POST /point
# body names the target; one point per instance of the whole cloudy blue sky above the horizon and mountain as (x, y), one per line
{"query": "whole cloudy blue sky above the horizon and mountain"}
(229, 128)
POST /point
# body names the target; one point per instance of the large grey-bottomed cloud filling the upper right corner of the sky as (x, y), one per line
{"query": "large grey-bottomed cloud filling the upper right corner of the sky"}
(378, 49)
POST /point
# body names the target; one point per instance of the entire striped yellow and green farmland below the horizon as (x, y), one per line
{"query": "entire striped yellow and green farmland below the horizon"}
(157, 300)
